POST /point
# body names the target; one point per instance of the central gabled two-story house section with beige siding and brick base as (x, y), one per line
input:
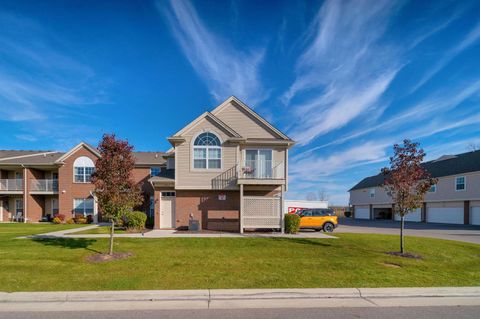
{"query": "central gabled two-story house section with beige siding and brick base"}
(226, 170)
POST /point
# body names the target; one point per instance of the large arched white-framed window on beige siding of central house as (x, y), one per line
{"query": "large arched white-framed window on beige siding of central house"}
(207, 151)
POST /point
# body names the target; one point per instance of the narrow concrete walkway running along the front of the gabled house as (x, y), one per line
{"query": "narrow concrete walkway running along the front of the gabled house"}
(176, 234)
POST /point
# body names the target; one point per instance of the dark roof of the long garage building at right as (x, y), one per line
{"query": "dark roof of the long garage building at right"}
(446, 165)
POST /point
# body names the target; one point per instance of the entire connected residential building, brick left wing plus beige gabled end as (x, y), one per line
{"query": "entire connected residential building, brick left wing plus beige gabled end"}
(226, 170)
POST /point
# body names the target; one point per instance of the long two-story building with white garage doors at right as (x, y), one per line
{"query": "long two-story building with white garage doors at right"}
(455, 199)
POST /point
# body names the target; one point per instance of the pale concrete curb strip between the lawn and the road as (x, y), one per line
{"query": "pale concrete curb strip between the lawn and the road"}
(239, 299)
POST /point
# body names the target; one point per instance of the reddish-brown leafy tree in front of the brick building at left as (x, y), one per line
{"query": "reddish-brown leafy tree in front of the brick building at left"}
(115, 189)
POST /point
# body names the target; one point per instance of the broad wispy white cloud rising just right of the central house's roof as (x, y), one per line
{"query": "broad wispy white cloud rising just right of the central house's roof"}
(345, 70)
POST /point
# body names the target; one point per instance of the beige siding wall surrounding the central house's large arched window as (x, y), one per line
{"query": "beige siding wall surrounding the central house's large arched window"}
(189, 178)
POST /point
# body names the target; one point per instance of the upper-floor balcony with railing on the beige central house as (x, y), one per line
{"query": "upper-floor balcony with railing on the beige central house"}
(262, 172)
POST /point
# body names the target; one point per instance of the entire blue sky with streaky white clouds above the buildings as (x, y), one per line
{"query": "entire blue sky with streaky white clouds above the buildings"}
(345, 79)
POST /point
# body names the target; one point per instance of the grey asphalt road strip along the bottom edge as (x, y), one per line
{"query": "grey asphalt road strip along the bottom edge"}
(327, 313)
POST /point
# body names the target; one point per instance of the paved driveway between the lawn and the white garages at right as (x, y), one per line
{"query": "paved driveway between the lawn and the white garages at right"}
(466, 233)
